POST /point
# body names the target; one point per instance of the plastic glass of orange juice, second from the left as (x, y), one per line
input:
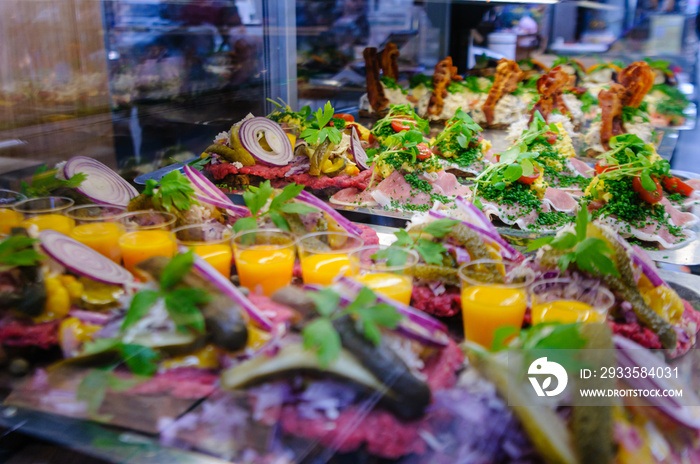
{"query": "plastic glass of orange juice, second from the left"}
(46, 213)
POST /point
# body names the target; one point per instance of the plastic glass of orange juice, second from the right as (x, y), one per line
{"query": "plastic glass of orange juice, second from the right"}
(494, 295)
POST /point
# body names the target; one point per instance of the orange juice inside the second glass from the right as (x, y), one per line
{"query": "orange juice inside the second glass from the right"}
(490, 307)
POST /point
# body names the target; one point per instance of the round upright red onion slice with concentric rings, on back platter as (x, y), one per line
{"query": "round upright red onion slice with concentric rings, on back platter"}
(282, 151)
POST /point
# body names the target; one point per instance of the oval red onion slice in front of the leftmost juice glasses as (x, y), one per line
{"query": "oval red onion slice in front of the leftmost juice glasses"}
(83, 260)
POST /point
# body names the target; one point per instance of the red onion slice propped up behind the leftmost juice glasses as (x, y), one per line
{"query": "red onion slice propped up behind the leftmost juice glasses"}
(103, 186)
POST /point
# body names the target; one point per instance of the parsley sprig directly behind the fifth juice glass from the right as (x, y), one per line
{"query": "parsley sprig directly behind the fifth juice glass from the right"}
(257, 198)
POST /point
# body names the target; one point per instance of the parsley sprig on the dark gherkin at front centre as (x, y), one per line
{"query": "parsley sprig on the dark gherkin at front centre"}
(321, 336)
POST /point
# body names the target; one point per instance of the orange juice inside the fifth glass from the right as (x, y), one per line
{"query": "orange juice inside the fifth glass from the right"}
(265, 266)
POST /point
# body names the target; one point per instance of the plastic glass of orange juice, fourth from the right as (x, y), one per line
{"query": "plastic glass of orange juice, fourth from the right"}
(324, 256)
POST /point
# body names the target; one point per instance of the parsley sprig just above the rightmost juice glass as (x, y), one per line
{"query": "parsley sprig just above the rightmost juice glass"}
(590, 254)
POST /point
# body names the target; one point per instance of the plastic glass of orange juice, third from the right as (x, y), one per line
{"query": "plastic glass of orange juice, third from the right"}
(384, 270)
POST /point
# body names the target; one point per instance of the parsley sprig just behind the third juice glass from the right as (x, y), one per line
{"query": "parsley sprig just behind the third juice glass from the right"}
(431, 252)
